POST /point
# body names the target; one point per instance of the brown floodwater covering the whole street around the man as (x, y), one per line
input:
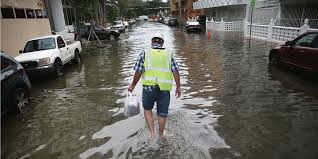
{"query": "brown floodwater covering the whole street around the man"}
(232, 106)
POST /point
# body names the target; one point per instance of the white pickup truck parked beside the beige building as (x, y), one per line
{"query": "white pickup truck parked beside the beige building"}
(48, 54)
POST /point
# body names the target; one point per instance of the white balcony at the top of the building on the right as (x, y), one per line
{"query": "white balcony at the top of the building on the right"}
(217, 3)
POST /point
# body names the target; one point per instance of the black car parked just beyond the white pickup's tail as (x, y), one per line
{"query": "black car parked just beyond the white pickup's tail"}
(102, 33)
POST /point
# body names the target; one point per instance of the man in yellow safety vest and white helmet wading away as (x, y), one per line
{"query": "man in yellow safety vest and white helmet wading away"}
(157, 68)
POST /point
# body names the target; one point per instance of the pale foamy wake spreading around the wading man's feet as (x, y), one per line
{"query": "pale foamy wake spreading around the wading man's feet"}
(189, 134)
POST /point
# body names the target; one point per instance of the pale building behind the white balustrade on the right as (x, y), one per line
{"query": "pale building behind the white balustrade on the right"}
(291, 13)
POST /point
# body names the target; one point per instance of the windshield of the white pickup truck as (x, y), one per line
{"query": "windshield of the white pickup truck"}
(40, 44)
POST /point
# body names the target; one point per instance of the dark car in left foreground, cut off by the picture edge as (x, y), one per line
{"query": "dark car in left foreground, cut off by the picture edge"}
(15, 86)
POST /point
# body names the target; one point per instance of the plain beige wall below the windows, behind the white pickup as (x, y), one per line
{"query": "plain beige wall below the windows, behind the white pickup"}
(16, 32)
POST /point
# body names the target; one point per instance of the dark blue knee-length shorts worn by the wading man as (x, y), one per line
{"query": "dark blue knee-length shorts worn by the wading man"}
(152, 94)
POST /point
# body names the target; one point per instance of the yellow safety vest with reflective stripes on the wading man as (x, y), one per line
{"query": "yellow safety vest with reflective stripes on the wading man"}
(158, 63)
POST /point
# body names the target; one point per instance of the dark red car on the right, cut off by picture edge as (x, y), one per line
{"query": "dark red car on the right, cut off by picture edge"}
(301, 53)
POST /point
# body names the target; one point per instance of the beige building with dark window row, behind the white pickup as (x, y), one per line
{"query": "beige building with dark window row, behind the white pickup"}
(20, 21)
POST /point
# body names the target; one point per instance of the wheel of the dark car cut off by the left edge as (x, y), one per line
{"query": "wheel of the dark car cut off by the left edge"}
(21, 99)
